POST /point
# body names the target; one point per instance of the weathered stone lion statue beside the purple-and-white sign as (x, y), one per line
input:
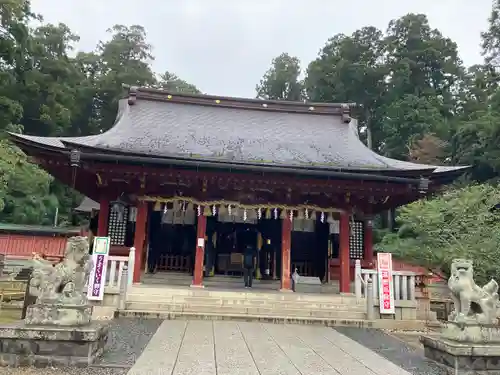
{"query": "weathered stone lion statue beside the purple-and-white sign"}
(63, 283)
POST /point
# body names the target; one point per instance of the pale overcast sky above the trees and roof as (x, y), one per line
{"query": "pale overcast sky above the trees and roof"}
(225, 46)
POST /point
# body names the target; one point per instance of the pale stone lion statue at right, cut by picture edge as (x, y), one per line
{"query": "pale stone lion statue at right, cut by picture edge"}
(472, 304)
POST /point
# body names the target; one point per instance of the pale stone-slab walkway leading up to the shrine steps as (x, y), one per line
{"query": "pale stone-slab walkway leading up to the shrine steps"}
(236, 348)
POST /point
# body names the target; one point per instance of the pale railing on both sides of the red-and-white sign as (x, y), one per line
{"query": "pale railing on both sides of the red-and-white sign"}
(404, 283)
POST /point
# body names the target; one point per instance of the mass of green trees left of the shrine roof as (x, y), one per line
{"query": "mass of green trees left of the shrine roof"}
(45, 90)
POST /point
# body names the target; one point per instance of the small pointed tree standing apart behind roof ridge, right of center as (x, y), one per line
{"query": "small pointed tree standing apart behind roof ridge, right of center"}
(281, 81)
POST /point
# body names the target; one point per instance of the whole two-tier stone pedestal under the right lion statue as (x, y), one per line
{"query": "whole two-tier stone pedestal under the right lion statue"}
(469, 349)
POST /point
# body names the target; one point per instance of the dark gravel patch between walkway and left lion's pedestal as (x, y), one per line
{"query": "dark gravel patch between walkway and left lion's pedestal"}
(127, 339)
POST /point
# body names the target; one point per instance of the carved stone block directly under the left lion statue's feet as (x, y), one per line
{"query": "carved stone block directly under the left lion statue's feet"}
(59, 315)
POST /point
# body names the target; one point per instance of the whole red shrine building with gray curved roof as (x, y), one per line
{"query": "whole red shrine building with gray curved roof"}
(178, 176)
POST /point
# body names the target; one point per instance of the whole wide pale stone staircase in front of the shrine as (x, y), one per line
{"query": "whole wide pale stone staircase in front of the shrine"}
(263, 304)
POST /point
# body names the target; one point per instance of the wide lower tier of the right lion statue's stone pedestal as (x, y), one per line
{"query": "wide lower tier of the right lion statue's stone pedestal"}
(463, 358)
